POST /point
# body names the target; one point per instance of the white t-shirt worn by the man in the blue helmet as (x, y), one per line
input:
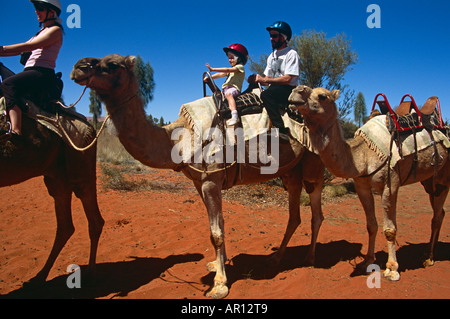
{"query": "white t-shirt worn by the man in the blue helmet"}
(282, 62)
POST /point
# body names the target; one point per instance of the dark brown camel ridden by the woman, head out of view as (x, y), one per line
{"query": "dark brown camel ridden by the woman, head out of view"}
(41, 152)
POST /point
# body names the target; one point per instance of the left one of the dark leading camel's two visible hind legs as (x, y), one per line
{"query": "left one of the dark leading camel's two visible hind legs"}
(62, 196)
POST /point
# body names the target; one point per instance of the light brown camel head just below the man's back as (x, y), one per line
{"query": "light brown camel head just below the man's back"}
(317, 105)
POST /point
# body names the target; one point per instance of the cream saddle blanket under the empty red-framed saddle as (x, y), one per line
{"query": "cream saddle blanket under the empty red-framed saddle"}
(377, 136)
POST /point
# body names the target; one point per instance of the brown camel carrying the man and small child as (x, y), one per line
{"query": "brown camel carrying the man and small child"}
(113, 80)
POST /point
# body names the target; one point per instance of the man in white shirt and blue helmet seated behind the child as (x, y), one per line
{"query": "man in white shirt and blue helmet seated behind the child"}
(281, 75)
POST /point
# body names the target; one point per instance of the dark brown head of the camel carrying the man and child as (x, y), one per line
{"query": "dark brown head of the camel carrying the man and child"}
(111, 75)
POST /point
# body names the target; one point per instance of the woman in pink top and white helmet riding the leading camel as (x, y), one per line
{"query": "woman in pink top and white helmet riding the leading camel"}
(38, 75)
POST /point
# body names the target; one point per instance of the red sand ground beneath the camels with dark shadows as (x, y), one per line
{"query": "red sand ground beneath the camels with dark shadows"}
(155, 244)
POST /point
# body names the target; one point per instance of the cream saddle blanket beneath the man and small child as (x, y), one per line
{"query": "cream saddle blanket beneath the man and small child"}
(200, 114)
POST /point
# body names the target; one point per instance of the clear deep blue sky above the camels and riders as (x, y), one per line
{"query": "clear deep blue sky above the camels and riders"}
(408, 55)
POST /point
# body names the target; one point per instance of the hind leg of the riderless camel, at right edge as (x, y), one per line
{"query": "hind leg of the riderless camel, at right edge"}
(437, 202)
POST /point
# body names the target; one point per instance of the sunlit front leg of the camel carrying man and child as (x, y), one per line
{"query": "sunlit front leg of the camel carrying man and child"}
(212, 197)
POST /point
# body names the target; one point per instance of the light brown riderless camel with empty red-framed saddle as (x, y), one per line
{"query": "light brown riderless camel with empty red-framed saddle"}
(354, 159)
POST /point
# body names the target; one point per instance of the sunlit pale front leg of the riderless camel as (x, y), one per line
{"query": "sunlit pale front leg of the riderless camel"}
(389, 201)
